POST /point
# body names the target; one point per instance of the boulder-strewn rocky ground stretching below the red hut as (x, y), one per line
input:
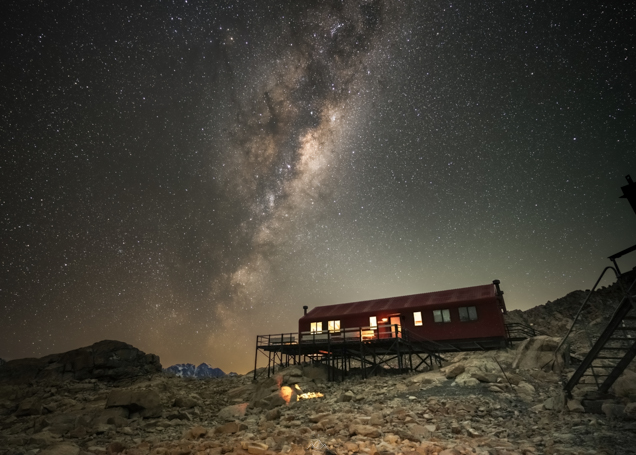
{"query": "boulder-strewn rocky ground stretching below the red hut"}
(484, 403)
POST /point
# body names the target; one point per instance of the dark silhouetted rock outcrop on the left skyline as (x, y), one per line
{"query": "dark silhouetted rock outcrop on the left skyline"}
(104, 360)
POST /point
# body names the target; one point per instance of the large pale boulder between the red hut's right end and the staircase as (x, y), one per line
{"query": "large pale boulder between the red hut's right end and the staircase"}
(539, 353)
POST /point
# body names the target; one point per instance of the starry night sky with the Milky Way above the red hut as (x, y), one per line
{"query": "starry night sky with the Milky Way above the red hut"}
(184, 175)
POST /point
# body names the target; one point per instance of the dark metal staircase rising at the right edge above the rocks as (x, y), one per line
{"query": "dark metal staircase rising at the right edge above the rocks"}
(614, 349)
